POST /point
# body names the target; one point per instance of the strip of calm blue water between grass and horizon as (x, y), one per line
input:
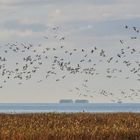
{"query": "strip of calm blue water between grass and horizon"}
(68, 107)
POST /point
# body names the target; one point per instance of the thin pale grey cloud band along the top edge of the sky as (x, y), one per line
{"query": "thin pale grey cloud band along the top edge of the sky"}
(55, 2)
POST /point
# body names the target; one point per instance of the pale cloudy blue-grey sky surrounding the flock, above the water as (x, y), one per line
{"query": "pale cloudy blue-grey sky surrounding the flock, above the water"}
(84, 23)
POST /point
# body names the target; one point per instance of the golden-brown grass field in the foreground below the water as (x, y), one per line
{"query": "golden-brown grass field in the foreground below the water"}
(76, 126)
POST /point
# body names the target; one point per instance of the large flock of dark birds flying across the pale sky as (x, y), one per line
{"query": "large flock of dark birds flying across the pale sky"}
(20, 62)
